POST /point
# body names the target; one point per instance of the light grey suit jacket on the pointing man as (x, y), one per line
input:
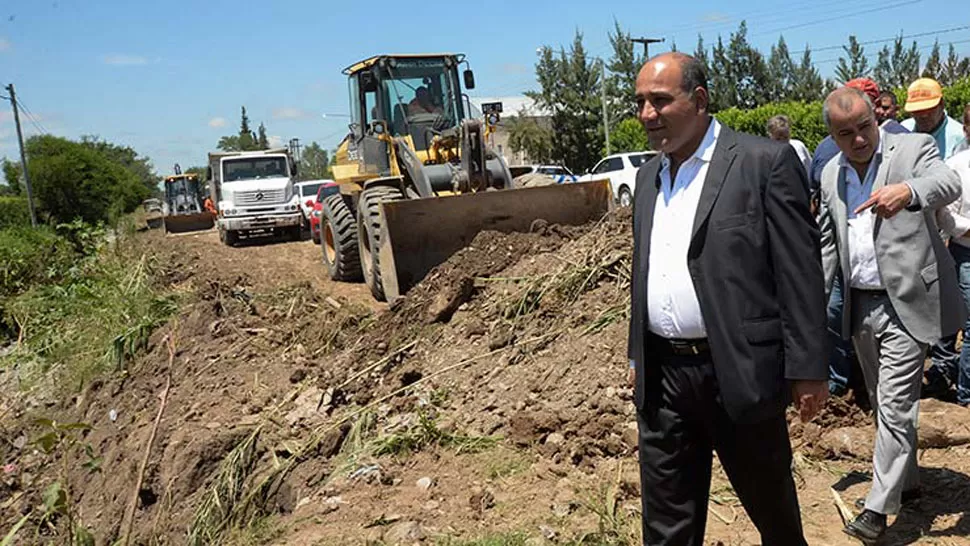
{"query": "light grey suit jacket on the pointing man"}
(917, 270)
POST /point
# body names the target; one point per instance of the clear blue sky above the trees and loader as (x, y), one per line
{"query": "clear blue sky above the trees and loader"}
(168, 78)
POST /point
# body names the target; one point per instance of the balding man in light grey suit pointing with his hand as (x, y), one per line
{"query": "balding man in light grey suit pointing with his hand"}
(878, 226)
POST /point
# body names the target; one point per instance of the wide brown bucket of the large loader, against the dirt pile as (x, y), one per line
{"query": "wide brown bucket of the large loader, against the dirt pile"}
(418, 234)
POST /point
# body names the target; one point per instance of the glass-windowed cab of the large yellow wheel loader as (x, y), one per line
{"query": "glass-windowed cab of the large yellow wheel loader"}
(399, 96)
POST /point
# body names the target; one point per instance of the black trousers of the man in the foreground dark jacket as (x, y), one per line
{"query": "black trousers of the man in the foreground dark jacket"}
(679, 428)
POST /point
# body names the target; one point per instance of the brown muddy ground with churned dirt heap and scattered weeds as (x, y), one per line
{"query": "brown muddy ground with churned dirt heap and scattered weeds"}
(490, 402)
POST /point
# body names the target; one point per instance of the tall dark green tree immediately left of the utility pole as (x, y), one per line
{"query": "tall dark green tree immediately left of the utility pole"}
(570, 89)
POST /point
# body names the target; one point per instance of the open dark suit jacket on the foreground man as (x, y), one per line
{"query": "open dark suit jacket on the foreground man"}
(755, 264)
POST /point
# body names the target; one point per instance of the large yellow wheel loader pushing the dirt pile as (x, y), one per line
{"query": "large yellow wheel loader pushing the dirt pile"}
(418, 181)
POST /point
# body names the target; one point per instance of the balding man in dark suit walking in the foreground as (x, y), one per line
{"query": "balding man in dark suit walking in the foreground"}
(728, 312)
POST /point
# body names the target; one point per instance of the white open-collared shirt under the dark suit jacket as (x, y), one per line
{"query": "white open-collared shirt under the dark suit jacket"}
(672, 307)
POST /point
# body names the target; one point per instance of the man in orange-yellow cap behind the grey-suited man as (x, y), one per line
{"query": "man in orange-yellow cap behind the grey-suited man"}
(924, 100)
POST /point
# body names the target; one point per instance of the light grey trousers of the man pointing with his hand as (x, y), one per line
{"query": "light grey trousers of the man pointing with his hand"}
(892, 363)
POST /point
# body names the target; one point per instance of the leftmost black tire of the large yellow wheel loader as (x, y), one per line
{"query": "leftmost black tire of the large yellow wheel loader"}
(338, 238)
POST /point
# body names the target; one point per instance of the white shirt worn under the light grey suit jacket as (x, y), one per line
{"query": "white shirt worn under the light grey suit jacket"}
(863, 268)
